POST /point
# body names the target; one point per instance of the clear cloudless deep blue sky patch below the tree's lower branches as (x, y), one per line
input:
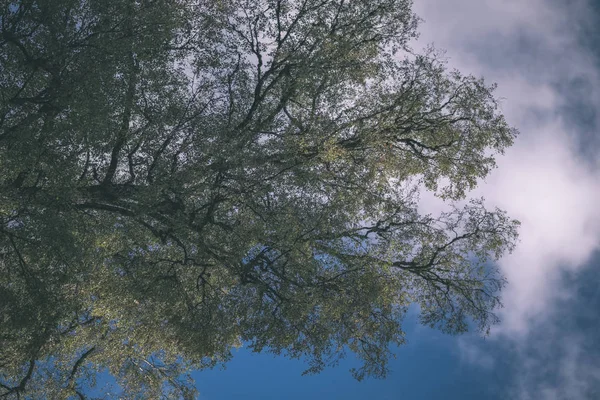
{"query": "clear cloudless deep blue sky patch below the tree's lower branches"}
(429, 367)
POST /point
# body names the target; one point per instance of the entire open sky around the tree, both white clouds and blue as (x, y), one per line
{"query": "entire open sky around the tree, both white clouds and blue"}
(545, 58)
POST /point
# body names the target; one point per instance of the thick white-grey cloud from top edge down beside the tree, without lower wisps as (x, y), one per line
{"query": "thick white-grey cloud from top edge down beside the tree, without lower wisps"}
(527, 47)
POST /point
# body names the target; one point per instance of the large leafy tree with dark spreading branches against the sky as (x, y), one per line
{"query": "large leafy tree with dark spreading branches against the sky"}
(182, 177)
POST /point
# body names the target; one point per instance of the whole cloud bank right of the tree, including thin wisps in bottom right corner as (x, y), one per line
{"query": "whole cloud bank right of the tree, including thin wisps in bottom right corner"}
(549, 180)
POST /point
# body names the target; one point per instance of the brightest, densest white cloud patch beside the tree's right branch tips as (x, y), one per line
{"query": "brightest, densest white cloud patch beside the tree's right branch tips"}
(542, 183)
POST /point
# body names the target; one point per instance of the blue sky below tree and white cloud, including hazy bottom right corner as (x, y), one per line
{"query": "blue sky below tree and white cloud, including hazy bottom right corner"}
(434, 366)
